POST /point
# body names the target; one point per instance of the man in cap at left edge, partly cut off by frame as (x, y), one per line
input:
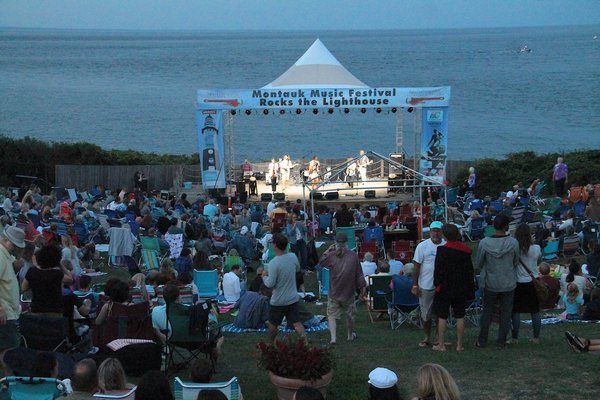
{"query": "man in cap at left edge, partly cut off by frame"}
(10, 239)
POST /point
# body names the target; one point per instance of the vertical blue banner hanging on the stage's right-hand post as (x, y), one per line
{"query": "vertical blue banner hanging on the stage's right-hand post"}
(434, 143)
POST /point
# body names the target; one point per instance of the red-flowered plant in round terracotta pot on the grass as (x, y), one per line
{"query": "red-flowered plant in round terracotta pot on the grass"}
(293, 364)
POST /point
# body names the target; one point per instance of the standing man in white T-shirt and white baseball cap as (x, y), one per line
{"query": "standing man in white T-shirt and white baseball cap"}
(424, 265)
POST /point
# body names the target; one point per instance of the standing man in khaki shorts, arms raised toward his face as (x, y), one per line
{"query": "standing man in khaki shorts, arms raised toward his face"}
(345, 280)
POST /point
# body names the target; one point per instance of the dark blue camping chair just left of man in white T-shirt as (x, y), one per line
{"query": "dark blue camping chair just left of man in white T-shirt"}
(403, 306)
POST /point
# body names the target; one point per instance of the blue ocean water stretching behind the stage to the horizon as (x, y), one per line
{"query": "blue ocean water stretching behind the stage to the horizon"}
(137, 90)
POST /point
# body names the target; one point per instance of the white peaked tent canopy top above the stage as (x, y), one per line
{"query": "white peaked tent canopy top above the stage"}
(317, 68)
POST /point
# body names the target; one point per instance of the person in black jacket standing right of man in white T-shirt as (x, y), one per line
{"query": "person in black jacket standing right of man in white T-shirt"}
(454, 284)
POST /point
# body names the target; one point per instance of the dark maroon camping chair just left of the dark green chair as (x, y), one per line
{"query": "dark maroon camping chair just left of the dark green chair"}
(124, 322)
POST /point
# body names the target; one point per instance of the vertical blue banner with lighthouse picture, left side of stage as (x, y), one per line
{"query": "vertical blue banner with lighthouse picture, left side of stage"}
(210, 137)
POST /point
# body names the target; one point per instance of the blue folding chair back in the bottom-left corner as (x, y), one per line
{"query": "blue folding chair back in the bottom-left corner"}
(26, 388)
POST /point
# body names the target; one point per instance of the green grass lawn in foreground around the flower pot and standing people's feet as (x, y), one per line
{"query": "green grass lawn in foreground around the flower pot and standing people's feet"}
(549, 370)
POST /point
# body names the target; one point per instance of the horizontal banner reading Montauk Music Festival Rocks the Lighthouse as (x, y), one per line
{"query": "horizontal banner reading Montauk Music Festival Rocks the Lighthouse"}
(306, 98)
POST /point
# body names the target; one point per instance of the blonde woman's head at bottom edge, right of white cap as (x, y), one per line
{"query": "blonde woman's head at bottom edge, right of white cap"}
(434, 382)
